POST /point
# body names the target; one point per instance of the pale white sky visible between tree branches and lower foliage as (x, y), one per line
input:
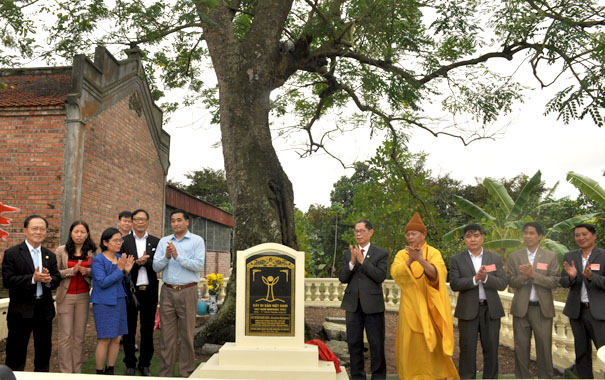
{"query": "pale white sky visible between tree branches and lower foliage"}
(530, 142)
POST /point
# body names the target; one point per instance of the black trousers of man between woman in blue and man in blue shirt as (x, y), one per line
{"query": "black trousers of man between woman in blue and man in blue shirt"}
(148, 299)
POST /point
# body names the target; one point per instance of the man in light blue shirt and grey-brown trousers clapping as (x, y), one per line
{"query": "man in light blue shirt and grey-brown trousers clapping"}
(180, 258)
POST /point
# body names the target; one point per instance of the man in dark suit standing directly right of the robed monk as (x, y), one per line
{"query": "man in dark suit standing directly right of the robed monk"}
(477, 274)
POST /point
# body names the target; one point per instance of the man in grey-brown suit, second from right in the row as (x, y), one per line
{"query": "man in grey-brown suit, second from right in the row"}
(533, 273)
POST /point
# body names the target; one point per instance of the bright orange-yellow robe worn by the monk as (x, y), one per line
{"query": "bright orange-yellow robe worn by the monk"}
(425, 333)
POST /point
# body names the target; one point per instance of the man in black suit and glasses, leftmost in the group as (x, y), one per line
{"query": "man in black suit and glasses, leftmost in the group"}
(30, 273)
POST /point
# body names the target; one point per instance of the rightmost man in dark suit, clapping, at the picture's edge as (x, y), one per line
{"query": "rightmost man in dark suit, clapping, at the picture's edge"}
(584, 274)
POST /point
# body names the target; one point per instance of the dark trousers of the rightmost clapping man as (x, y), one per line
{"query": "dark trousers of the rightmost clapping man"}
(586, 329)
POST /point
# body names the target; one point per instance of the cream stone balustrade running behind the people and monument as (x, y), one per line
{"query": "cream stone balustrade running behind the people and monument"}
(327, 292)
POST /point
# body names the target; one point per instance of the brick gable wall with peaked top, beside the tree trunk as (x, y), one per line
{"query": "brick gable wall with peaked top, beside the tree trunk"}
(122, 170)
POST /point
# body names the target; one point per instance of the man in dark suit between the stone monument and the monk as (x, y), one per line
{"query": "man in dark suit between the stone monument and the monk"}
(364, 268)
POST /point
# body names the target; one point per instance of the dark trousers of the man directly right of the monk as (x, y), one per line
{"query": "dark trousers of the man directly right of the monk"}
(489, 333)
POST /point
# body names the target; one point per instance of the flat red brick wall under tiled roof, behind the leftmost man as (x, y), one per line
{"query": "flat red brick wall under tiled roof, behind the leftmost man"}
(31, 168)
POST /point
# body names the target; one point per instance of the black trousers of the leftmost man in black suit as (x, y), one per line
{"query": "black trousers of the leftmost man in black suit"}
(19, 331)
